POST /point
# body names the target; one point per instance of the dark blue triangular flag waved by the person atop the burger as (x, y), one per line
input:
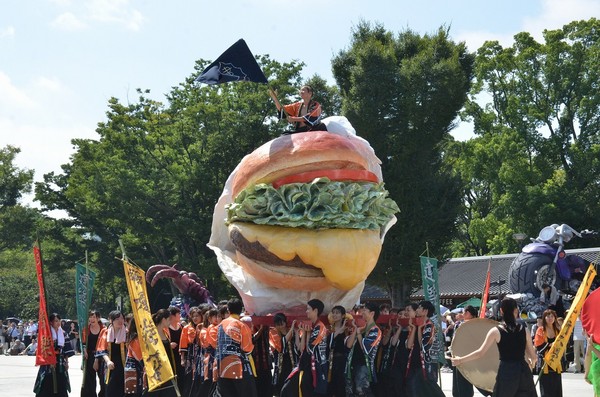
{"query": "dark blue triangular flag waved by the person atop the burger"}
(235, 64)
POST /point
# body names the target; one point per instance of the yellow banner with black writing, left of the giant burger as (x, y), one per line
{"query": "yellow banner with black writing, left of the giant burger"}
(157, 365)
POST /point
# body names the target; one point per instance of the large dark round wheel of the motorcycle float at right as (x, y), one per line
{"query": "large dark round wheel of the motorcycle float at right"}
(529, 271)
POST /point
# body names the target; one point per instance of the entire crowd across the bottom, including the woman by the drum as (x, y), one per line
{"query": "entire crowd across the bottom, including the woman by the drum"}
(225, 352)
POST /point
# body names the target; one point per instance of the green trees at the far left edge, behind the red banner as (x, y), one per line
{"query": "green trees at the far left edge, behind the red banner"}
(20, 227)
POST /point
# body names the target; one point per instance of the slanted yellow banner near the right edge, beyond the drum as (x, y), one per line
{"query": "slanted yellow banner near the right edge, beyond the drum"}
(557, 351)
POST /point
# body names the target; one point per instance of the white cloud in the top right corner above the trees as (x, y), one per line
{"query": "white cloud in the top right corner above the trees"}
(557, 13)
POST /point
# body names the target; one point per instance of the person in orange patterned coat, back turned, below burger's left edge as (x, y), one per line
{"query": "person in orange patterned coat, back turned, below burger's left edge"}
(234, 342)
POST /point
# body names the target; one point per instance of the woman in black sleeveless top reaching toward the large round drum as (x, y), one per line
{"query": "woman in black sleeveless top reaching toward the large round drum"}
(517, 354)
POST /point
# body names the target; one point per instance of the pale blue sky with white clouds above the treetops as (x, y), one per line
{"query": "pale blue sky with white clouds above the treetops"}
(61, 60)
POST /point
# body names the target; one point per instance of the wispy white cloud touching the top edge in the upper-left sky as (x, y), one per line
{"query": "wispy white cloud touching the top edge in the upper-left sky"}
(116, 11)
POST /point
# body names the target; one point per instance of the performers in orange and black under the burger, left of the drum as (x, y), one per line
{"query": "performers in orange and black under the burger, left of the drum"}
(221, 352)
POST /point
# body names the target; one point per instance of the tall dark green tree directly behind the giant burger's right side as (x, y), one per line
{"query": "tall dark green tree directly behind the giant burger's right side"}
(403, 93)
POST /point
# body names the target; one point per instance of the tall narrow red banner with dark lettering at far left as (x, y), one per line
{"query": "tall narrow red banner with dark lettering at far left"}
(44, 354)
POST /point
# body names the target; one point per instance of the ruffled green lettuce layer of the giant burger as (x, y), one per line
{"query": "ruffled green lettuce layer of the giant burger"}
(321, 204)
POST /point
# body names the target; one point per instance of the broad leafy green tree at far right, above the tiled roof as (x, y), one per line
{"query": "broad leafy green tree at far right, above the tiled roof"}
(536, 158)
